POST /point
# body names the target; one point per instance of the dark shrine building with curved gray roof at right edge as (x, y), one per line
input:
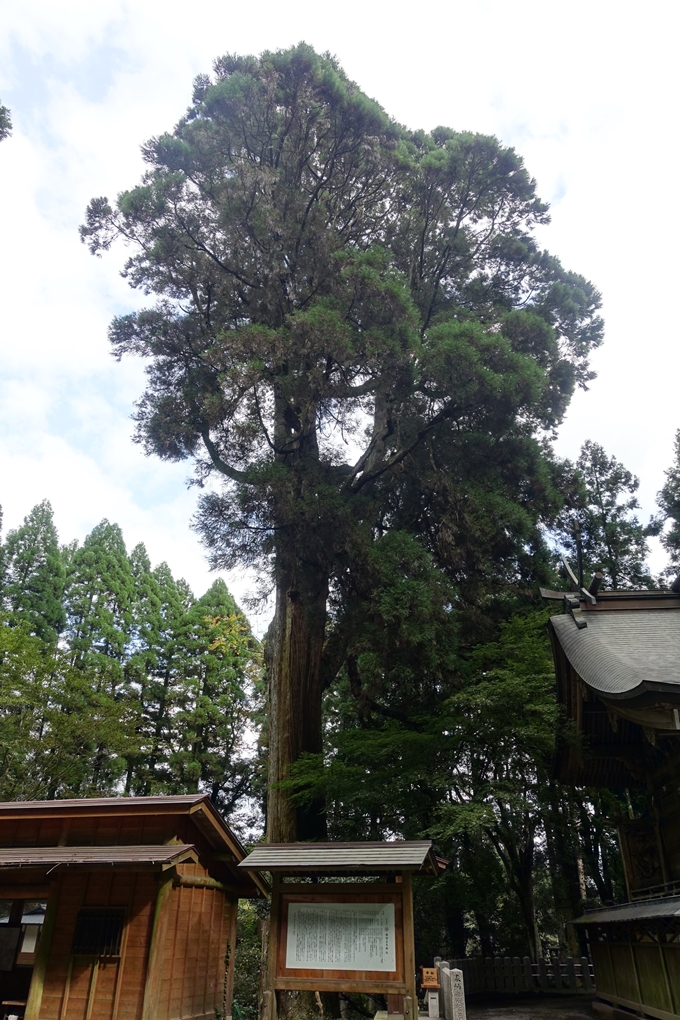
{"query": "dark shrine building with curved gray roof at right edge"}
(617, 658)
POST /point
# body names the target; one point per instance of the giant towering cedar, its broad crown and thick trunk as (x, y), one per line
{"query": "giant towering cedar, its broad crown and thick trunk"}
(357, 329)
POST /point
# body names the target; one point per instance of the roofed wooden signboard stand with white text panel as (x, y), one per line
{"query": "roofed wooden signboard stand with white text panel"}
(347, 937)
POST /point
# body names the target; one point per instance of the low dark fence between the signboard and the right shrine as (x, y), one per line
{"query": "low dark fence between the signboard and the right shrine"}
(513, 975)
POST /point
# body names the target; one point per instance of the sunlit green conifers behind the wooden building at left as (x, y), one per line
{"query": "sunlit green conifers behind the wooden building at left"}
(147, 690)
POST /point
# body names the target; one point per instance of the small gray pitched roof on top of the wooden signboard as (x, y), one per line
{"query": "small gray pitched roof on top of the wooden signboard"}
(343, 858)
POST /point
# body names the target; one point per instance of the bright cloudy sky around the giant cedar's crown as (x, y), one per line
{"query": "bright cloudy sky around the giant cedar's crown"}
(586, 91)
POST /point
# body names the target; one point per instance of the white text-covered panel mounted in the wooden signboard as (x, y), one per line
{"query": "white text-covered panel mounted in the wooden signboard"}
(341, 937)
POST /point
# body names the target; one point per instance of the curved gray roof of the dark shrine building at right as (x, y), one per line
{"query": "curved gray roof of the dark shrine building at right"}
(622, 654)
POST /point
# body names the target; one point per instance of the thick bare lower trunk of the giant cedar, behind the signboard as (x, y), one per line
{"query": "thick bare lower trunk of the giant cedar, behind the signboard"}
(296, 639)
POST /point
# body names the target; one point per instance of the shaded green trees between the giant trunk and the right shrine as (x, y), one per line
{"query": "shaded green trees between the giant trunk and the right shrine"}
(466, 759)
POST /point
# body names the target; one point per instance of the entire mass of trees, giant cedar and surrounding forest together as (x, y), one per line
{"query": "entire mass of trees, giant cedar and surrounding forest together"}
(359, 343)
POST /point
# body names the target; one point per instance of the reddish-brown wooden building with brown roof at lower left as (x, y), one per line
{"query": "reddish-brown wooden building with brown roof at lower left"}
(119, 909)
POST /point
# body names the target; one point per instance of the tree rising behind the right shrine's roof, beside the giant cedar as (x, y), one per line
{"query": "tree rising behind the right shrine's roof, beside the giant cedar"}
(601, 497)
